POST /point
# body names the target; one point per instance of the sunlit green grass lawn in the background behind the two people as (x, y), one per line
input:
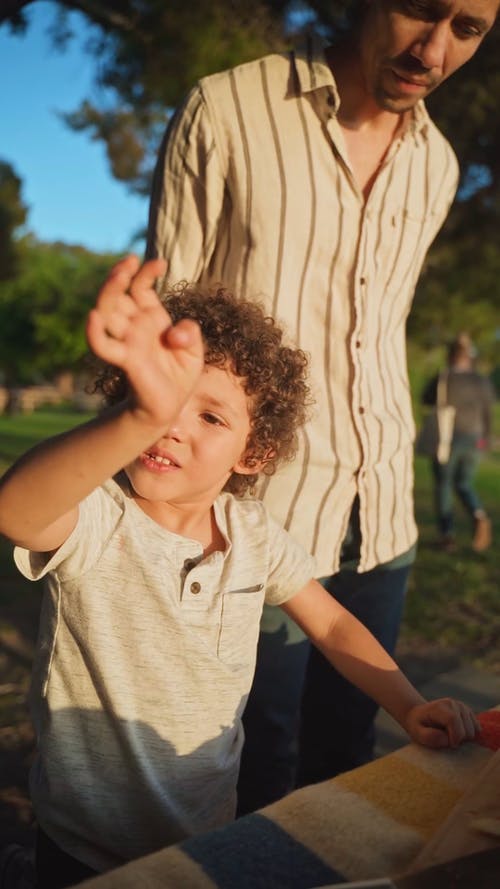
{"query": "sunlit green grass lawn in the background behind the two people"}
(453, 600)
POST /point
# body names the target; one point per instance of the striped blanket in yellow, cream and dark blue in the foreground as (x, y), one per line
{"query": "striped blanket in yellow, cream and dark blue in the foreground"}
(368, 823)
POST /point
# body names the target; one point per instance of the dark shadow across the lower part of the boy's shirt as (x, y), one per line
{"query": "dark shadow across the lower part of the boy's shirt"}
(117, 790)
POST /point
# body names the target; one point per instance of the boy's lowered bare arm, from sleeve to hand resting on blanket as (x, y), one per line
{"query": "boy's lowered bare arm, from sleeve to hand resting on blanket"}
(355, 653)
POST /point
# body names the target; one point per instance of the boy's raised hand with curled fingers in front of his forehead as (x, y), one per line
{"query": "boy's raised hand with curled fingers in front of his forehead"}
(130, 329)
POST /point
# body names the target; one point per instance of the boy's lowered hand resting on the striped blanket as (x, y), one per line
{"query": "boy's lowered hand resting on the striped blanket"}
(442, 723)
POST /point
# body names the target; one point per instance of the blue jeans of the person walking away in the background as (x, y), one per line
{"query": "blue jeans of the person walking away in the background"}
(456, 477)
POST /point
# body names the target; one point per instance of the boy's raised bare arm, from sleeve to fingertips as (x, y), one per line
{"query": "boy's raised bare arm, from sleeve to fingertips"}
(129, 328)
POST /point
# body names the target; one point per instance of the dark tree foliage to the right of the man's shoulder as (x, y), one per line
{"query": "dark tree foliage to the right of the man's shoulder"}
(460, 284)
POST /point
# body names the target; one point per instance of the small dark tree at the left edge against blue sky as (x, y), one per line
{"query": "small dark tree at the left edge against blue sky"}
(13, 214)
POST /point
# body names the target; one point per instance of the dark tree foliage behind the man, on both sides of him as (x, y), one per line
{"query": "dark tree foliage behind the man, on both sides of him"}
(149, 52)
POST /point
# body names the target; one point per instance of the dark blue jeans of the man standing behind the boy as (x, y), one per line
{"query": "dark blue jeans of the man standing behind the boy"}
(336, 720)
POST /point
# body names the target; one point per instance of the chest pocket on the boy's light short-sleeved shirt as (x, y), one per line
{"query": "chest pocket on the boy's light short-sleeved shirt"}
(240, 623)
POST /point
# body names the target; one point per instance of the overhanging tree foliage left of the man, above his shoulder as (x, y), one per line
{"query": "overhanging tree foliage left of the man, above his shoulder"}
(149, 53)
